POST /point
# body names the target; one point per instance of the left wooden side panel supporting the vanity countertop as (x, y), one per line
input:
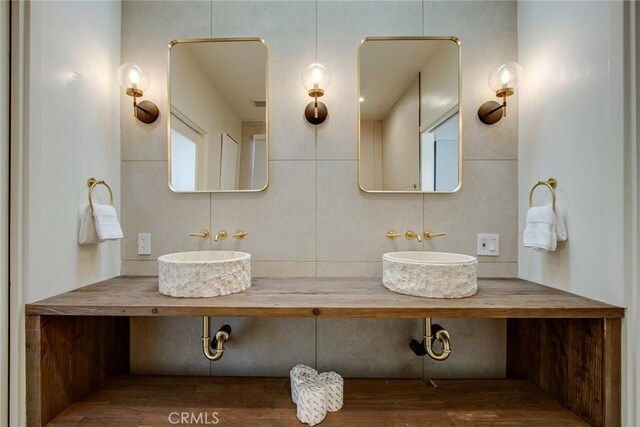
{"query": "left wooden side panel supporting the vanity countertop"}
(67, 357)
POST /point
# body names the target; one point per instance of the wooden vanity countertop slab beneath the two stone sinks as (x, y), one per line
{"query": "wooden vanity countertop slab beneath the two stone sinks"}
(323, 297)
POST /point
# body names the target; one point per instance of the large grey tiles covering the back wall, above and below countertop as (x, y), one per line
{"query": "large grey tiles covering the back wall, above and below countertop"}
(313, 220)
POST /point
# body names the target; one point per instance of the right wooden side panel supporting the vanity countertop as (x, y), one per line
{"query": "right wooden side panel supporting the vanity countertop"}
(576, 361)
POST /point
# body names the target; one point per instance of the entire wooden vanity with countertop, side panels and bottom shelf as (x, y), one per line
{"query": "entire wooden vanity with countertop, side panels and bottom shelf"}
(559, 346)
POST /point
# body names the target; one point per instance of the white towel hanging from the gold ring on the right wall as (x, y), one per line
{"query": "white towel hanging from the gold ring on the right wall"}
(544, 229)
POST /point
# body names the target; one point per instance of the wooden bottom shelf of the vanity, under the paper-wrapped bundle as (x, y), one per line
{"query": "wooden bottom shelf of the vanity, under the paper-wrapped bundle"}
(244, 402)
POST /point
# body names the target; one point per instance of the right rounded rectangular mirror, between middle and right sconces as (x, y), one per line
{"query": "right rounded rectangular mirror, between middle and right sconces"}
(409, 96)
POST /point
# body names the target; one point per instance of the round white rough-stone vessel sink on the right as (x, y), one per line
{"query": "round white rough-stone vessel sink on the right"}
(430, 274)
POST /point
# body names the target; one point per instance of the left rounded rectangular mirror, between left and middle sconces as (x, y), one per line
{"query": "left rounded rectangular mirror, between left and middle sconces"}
(218, 138)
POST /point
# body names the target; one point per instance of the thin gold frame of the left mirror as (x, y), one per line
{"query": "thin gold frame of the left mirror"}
(266, 77)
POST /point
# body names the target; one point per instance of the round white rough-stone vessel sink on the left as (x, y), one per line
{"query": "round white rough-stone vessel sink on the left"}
(204, 273)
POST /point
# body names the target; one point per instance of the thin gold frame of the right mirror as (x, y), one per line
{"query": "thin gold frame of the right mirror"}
(357, 100)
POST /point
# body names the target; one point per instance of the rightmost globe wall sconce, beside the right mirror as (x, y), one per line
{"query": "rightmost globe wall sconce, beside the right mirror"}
(504, 80)
